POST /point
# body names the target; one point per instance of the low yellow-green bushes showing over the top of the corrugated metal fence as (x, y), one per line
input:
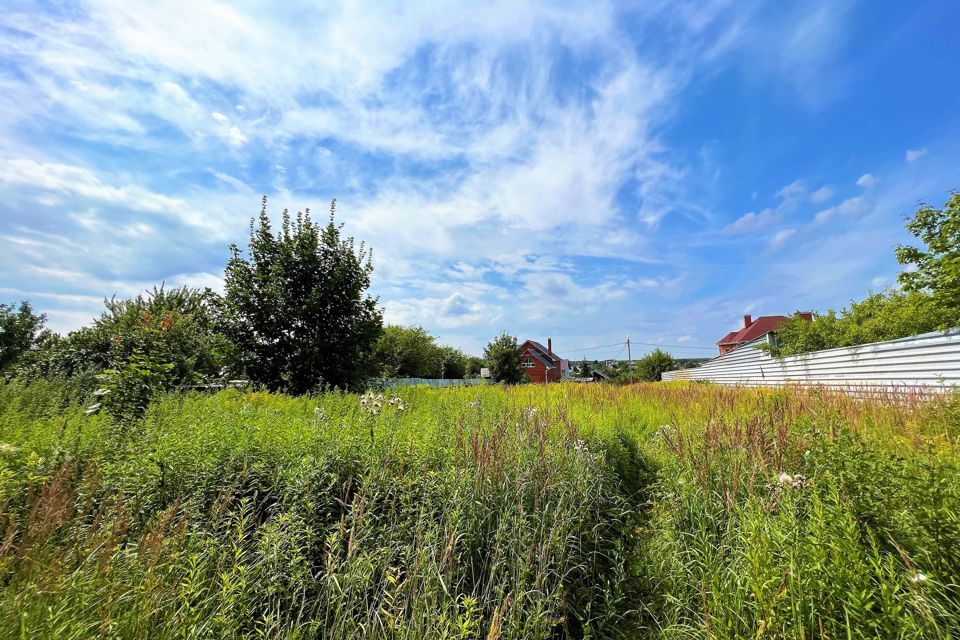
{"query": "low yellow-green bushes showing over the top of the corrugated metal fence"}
(880, 316)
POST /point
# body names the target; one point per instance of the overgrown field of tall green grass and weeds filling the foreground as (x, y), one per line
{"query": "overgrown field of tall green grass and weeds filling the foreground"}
(530, 512)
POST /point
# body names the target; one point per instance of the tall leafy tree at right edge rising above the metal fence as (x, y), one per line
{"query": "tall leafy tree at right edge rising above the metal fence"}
(935, 268)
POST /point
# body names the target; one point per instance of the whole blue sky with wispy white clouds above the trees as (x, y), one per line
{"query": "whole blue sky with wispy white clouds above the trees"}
(653, 169)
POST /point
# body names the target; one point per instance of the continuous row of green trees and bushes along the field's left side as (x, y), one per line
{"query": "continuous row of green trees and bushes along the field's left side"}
(296, 316)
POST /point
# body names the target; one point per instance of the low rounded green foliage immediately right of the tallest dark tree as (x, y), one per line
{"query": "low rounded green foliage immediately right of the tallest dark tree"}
(411, 352)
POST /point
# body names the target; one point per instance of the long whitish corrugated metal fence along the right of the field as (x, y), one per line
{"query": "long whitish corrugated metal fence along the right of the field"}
(928, 362)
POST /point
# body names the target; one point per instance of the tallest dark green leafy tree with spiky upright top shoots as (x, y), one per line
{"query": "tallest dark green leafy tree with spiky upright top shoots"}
(297, 306)
